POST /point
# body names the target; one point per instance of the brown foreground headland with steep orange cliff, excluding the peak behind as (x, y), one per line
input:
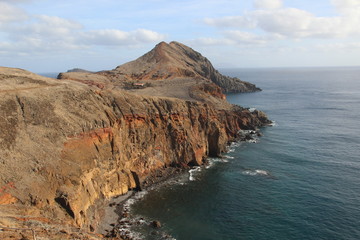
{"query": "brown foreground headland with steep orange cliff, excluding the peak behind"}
(66, 146)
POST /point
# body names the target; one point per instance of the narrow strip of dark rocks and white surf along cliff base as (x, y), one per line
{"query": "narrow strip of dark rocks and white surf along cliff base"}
(120, 224)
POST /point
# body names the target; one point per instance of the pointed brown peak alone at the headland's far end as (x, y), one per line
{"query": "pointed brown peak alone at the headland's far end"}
(176, 60)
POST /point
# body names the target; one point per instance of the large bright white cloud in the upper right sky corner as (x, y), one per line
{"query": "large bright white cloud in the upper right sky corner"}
(292, 23)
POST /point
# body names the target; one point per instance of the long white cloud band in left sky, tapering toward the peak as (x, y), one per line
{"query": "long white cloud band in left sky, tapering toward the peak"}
(23, 33)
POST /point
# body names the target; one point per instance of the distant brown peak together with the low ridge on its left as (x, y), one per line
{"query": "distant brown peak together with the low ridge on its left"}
(164, 62)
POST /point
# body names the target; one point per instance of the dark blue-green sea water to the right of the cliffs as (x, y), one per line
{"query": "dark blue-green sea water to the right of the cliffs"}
(301, 180)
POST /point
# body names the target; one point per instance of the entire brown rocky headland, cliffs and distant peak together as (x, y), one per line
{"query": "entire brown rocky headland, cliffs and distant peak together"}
(69, 144)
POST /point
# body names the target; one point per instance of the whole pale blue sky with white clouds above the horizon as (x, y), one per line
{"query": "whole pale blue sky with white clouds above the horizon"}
(54, 36)
